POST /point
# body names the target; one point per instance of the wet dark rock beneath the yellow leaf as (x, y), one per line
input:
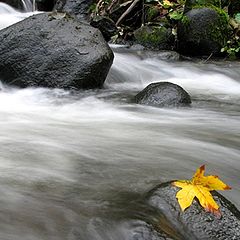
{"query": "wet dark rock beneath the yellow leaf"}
(194, 223)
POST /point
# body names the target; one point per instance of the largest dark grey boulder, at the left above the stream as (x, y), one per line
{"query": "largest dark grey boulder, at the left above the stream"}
(54, 50)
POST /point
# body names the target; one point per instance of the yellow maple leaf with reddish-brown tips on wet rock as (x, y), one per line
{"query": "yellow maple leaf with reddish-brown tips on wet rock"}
(200, 187)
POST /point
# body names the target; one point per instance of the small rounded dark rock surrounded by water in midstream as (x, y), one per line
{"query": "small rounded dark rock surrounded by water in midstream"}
(163, 94)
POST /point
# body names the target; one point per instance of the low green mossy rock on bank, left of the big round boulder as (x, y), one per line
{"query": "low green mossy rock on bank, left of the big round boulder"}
(155, 37)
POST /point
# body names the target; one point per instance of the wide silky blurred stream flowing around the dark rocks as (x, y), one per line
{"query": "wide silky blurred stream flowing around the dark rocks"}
(74, 164)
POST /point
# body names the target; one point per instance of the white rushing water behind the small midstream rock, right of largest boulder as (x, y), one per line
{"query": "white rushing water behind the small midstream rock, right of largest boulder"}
(132, 72)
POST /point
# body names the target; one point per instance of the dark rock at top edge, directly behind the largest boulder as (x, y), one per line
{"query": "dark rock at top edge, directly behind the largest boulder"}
(79, 8)
